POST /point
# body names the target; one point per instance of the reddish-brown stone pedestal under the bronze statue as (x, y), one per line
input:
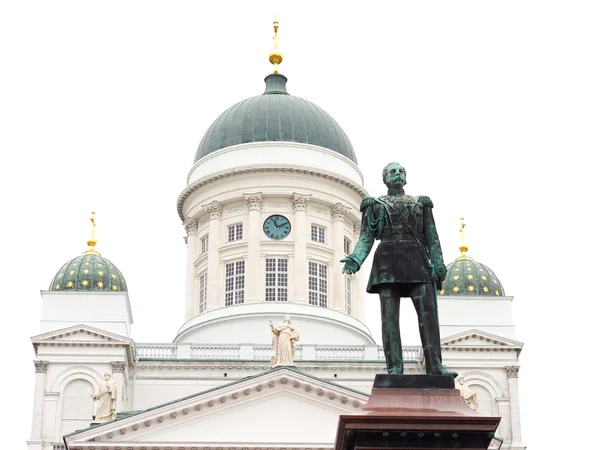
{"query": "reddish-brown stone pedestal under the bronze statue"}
(421, 412)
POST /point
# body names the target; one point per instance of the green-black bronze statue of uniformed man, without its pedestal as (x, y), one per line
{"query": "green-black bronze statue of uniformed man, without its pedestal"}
(407, 263)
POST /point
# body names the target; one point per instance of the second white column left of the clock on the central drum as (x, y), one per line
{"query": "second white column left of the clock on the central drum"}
(214, 287)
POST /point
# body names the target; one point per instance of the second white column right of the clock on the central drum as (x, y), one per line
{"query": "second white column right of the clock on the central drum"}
(338, 286)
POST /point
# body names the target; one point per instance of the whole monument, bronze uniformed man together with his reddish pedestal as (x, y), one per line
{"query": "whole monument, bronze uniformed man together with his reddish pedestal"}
(408, 411)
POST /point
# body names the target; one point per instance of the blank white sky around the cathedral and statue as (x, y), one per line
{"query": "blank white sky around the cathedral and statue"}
(493, 108)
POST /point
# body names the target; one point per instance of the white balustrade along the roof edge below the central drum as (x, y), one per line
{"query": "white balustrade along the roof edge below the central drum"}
(263, 352)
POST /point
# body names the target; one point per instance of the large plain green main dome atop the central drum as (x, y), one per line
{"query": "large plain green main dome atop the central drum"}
(275, 116)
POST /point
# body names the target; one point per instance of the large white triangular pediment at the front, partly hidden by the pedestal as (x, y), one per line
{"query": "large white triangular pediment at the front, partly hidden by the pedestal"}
(275, 408)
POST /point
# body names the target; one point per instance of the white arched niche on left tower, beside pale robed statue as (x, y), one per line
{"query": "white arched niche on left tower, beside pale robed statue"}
(78, 406)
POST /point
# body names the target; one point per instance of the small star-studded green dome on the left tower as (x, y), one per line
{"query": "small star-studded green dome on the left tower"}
(88, 272)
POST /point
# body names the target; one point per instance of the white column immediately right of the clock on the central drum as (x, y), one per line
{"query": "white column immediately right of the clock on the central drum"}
(299, 228)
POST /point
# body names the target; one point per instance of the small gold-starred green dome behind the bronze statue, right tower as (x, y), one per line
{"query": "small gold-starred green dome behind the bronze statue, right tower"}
(468, 277)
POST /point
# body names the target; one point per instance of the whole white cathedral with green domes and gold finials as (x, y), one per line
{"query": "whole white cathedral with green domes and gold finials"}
(274, 346)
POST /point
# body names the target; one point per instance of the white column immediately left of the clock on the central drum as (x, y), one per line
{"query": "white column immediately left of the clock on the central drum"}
(253, 280)
